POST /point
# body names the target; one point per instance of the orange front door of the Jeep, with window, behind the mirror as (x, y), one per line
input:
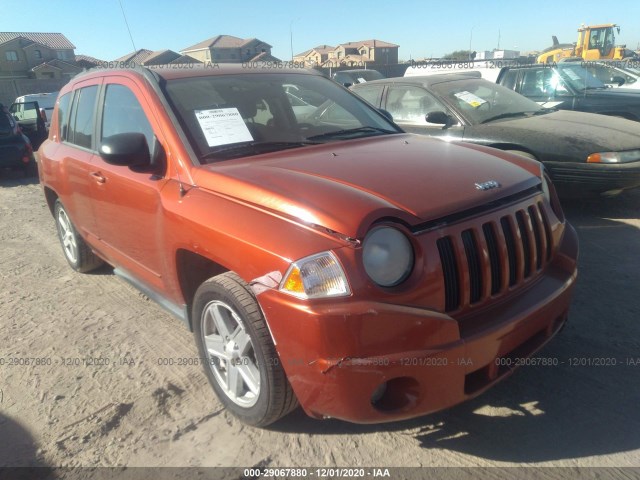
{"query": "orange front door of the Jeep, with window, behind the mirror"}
(127, 202)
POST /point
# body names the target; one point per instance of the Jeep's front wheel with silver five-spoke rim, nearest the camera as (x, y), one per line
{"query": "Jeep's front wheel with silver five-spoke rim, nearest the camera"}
(241, 360)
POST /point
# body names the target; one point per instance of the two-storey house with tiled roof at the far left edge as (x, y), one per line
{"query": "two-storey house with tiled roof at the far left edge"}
(36, 55)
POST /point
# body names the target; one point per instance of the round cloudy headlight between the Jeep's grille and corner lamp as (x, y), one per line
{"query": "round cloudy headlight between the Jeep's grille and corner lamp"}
(387, 256)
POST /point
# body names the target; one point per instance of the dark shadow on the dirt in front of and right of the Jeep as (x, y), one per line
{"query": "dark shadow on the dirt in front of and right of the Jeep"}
(587, 404)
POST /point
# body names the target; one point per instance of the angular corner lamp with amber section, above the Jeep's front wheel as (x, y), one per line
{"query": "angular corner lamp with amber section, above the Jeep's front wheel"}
(317, 276)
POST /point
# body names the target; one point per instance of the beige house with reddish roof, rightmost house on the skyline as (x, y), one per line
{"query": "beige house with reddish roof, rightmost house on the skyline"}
(366, 52)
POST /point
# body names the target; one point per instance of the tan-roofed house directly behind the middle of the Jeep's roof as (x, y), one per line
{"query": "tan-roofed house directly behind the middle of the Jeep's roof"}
(230, 49)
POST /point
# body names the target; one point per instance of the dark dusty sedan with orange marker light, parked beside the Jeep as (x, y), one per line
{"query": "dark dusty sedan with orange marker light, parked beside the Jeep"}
(584, 153)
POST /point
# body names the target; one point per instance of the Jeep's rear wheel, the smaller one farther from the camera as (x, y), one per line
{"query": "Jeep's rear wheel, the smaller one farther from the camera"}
(76, 251)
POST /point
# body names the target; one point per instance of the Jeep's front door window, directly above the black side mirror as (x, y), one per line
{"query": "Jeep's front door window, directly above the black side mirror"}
(123, 114)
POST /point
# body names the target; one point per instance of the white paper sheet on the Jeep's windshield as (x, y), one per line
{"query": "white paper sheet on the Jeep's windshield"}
(223, 126)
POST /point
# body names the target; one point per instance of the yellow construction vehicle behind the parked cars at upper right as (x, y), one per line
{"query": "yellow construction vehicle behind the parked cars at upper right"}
(595, 42)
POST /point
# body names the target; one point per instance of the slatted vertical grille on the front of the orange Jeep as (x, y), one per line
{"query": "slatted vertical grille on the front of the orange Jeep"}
(484, 262)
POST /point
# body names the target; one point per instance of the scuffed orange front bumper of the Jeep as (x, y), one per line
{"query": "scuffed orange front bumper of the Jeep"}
(370, 362)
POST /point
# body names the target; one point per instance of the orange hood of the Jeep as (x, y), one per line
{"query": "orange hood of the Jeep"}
(344, 186)
